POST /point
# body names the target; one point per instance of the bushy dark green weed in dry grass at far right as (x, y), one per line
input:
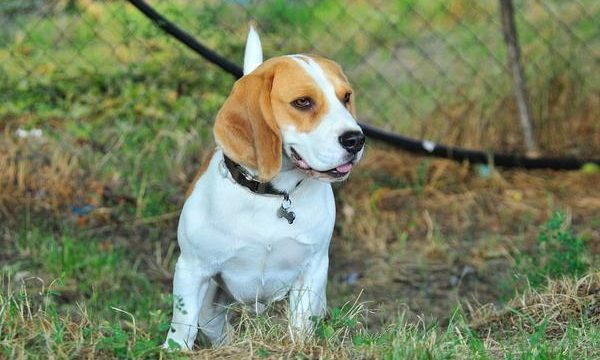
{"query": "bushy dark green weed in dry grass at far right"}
(558, 251)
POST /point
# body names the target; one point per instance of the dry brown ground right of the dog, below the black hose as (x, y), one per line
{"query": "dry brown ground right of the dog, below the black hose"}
(449, 235)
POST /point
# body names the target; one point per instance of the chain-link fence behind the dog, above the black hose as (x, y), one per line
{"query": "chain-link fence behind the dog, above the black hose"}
(430, 68)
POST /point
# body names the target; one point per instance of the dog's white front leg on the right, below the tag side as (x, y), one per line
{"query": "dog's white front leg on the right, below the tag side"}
(307, 296)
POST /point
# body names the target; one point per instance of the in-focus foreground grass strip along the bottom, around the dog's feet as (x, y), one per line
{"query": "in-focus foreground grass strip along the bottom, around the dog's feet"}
(561, 320)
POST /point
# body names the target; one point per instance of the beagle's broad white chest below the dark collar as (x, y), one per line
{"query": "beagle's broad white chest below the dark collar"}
(240, 241)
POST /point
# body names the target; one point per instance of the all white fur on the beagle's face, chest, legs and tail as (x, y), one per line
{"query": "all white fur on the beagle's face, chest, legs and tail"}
(235, 248)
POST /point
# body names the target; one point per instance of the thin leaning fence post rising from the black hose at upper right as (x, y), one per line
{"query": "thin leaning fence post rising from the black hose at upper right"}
(509, 30)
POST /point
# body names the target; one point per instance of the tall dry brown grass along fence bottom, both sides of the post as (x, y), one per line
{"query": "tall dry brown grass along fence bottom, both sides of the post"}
(565, 124)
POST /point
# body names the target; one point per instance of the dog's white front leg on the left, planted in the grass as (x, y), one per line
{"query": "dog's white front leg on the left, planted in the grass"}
(190, 284)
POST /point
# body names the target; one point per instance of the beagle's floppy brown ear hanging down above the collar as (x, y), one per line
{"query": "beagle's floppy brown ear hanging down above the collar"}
(245, 126)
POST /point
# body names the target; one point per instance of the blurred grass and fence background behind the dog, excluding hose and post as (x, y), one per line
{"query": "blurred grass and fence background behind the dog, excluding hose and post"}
(105, 120)
